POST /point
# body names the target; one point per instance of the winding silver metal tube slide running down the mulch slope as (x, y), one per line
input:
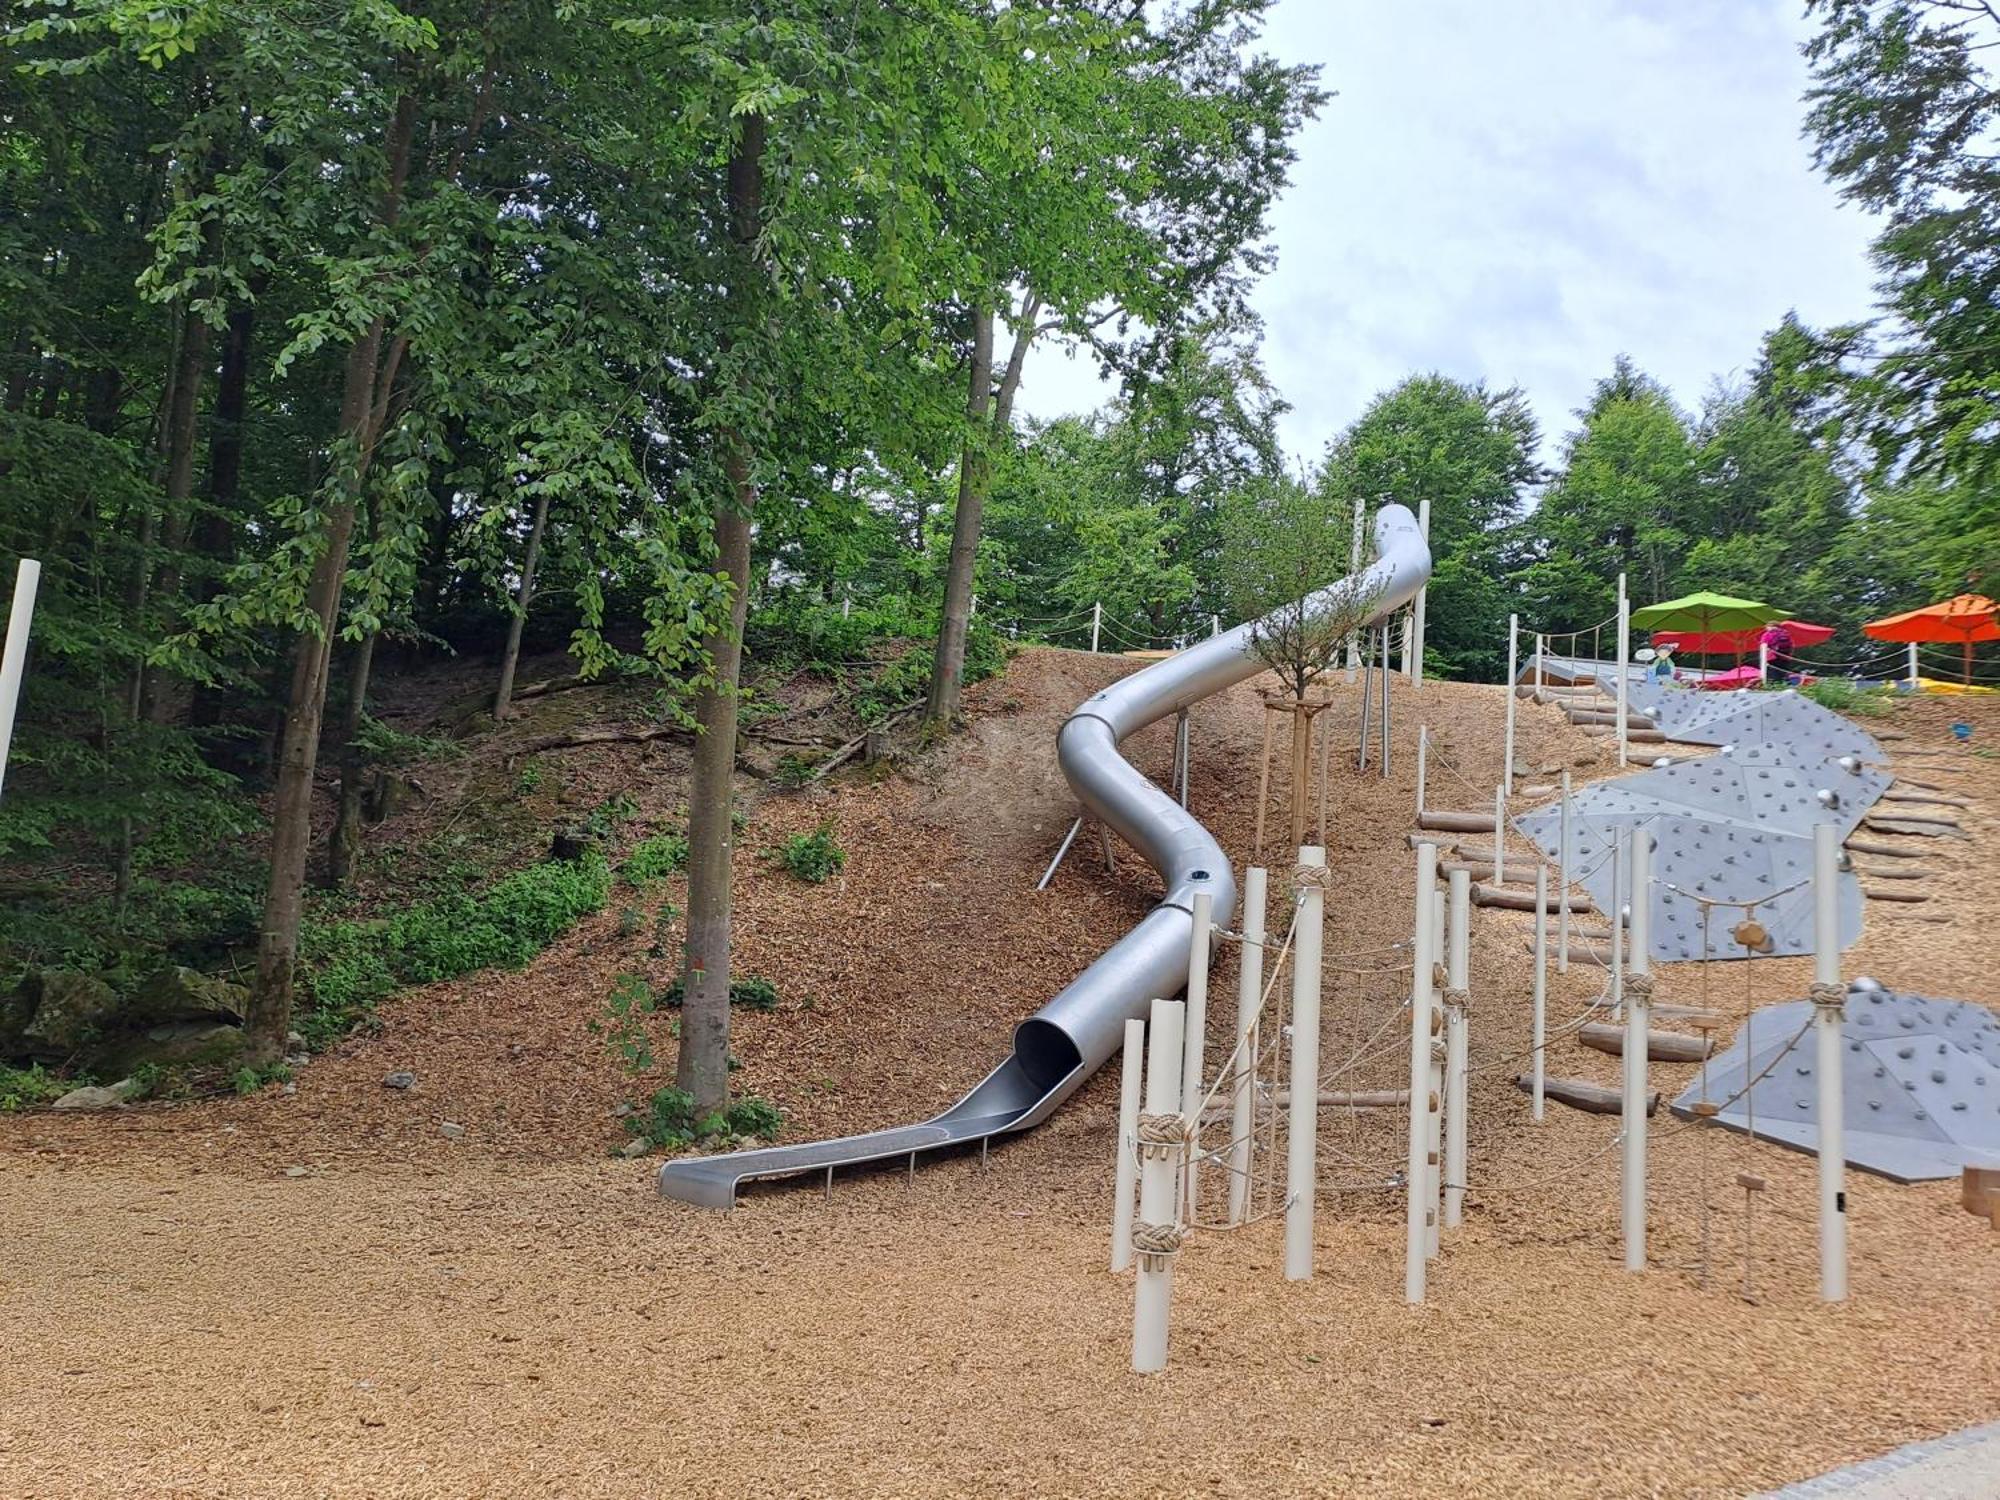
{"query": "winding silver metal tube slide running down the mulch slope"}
(1079, 1031)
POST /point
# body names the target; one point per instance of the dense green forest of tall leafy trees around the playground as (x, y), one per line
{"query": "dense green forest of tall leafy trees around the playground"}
(341, 341)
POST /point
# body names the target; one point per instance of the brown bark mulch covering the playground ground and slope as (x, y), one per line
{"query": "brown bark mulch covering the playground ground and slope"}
(327, 1295)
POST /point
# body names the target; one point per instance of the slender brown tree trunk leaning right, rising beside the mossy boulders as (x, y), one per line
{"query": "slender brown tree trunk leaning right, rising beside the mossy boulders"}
(299, 749)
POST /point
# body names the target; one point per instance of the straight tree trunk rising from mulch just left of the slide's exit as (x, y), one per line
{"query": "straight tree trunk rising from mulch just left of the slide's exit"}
(703, 1067)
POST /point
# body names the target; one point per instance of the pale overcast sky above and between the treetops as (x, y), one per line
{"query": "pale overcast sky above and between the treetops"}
(1519, 191)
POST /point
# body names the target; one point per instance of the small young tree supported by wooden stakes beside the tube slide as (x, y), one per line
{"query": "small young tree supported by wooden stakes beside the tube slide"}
(1283, 551)
